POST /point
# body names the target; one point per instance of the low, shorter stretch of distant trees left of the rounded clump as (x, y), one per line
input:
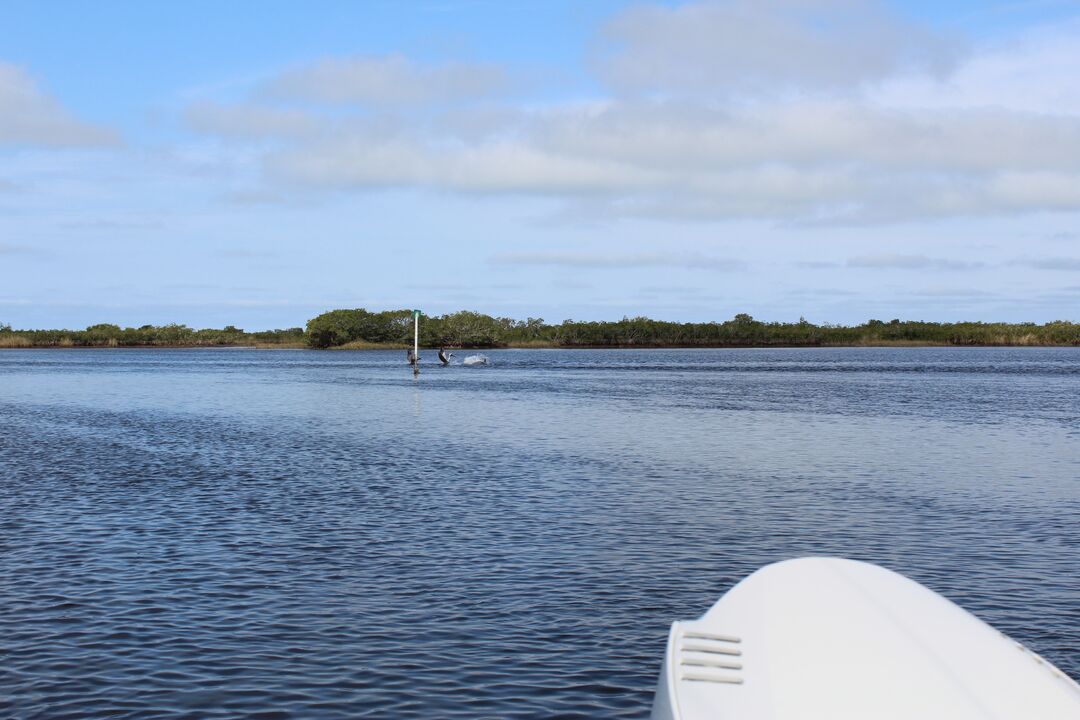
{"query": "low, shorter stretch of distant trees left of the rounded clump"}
(114, 336)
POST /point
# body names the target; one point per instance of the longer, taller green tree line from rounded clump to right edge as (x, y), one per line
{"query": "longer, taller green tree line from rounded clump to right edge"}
(470, 330)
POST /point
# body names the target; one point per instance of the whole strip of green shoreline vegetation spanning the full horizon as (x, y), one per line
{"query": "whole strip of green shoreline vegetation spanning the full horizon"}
(360, 330)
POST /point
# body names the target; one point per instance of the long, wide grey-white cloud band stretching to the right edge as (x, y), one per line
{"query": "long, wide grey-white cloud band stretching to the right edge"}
(793, 161)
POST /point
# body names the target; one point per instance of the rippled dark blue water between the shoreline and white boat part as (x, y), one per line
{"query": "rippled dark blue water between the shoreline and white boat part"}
(318, 535)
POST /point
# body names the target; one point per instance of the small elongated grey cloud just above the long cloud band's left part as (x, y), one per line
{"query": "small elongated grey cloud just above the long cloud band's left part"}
(390, 80)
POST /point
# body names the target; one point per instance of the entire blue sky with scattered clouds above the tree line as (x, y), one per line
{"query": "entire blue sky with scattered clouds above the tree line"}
(258, 164)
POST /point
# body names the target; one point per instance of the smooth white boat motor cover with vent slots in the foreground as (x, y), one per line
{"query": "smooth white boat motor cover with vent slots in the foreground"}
(834, 640)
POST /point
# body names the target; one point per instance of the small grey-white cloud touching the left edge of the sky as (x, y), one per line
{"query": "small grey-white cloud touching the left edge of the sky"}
(31, 117)
